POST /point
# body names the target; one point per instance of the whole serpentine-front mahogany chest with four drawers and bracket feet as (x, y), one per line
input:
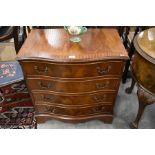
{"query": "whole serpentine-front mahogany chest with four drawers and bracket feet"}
(73, 81)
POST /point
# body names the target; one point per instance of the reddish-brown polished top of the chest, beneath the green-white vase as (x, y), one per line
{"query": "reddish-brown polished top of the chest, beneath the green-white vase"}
(54, 44)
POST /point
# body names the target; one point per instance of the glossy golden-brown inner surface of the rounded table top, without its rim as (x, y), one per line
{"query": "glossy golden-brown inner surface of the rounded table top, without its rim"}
(146, 42)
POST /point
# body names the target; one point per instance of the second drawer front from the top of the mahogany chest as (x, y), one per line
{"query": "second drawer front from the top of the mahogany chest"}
(73, 86)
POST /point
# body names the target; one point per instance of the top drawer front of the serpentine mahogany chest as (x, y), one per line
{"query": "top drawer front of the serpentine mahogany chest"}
(72, 70)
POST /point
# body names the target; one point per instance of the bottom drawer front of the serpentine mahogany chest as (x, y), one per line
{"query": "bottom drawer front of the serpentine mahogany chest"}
(78, 111)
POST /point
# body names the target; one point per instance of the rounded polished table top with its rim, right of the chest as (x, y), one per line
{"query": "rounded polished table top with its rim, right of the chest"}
(145, 44)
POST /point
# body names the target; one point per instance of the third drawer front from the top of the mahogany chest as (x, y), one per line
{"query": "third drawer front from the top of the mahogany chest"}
(82, 99)
